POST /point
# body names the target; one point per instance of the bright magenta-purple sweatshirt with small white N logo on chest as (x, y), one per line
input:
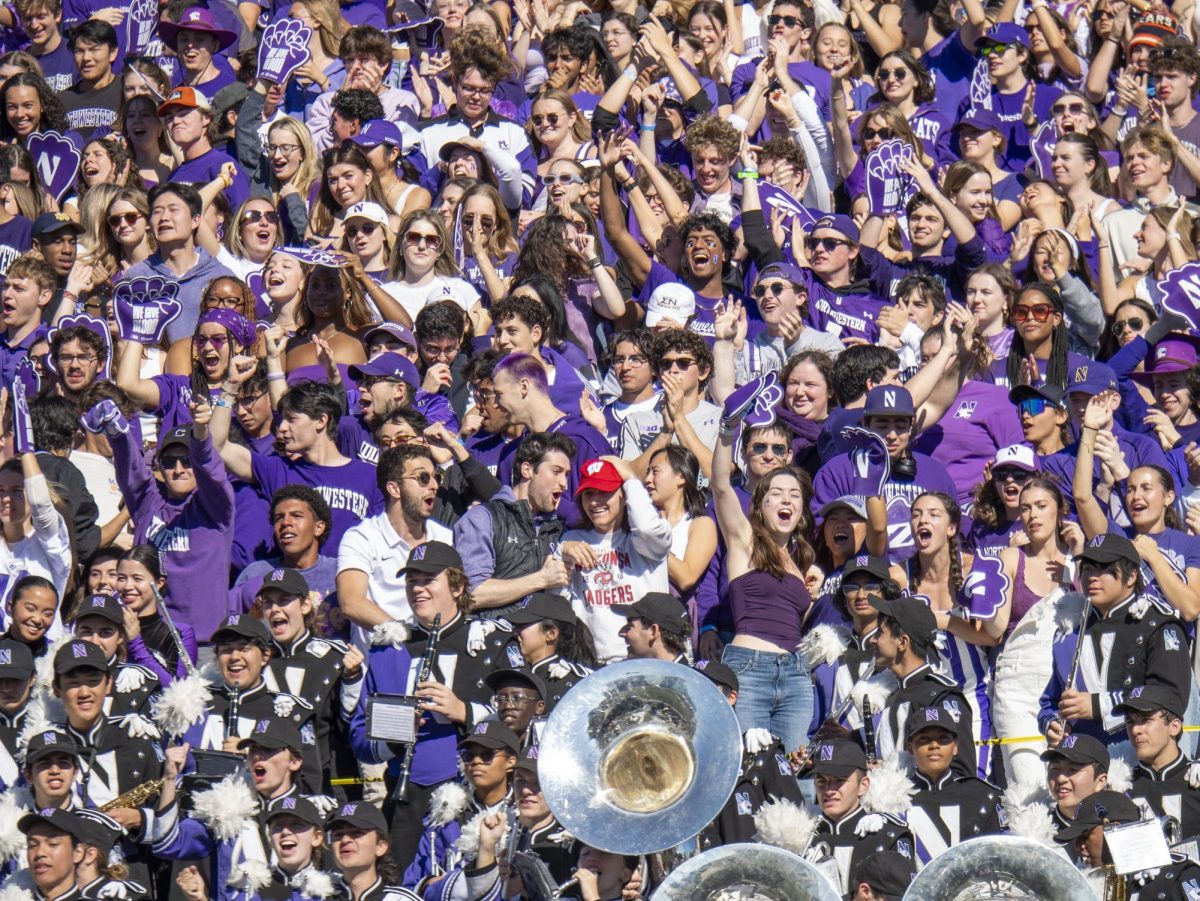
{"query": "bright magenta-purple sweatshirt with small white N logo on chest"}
(979, 424)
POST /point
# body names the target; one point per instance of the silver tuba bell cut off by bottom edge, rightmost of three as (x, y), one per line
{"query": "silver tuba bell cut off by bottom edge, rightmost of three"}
(1000, 868)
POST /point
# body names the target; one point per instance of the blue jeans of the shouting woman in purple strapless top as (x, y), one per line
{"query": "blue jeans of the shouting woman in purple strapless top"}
(775, 693)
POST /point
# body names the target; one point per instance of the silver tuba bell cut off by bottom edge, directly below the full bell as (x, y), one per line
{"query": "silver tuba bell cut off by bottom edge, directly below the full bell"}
(747, 873)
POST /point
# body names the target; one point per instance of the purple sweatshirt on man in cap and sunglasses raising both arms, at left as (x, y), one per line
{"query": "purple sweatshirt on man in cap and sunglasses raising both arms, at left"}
(193, 536)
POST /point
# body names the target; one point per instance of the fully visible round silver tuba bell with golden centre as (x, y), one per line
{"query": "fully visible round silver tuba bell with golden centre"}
(640, 756)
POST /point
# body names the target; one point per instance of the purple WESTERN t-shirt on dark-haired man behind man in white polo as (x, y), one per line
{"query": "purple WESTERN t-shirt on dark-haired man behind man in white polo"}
(350, 490)
